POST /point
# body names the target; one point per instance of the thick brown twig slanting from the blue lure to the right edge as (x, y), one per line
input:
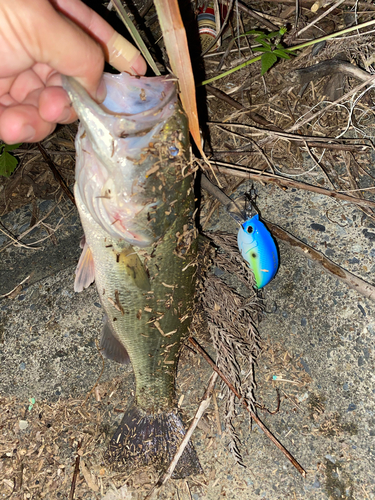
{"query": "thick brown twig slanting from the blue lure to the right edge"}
(346, 277)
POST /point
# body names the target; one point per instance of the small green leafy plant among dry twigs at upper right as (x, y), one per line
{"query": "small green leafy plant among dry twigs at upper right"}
(270, 46)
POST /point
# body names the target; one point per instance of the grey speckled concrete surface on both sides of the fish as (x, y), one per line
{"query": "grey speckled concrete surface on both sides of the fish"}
(318, 337)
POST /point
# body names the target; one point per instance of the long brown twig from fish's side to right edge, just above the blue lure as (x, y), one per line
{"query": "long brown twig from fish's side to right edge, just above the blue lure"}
(248, 173)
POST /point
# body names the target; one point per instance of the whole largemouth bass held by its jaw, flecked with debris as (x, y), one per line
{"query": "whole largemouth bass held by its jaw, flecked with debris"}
(135, 196)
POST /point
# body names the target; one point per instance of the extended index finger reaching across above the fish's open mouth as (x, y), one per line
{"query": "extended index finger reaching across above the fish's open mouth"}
(119, 52)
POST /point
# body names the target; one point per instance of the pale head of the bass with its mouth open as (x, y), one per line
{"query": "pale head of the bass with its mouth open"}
(115, 151)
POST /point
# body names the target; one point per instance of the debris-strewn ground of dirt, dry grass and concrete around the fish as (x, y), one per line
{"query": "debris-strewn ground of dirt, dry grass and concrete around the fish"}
(315, 370)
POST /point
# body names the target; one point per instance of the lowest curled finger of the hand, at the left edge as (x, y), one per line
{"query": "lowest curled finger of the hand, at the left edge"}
(22, 123)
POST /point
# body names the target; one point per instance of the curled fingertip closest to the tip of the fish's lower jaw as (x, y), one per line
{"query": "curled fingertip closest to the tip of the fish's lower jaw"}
(55, 106)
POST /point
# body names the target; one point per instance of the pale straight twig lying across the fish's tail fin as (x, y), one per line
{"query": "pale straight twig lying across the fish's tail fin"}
(198, 415)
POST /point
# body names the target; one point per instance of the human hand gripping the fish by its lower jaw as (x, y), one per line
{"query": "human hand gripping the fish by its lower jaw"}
(40, 41)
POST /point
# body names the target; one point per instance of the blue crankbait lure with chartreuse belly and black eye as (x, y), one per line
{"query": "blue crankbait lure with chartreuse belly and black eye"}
(258, 248)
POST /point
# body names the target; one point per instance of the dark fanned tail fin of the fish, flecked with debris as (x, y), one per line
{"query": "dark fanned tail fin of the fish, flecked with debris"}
(152, 439)
